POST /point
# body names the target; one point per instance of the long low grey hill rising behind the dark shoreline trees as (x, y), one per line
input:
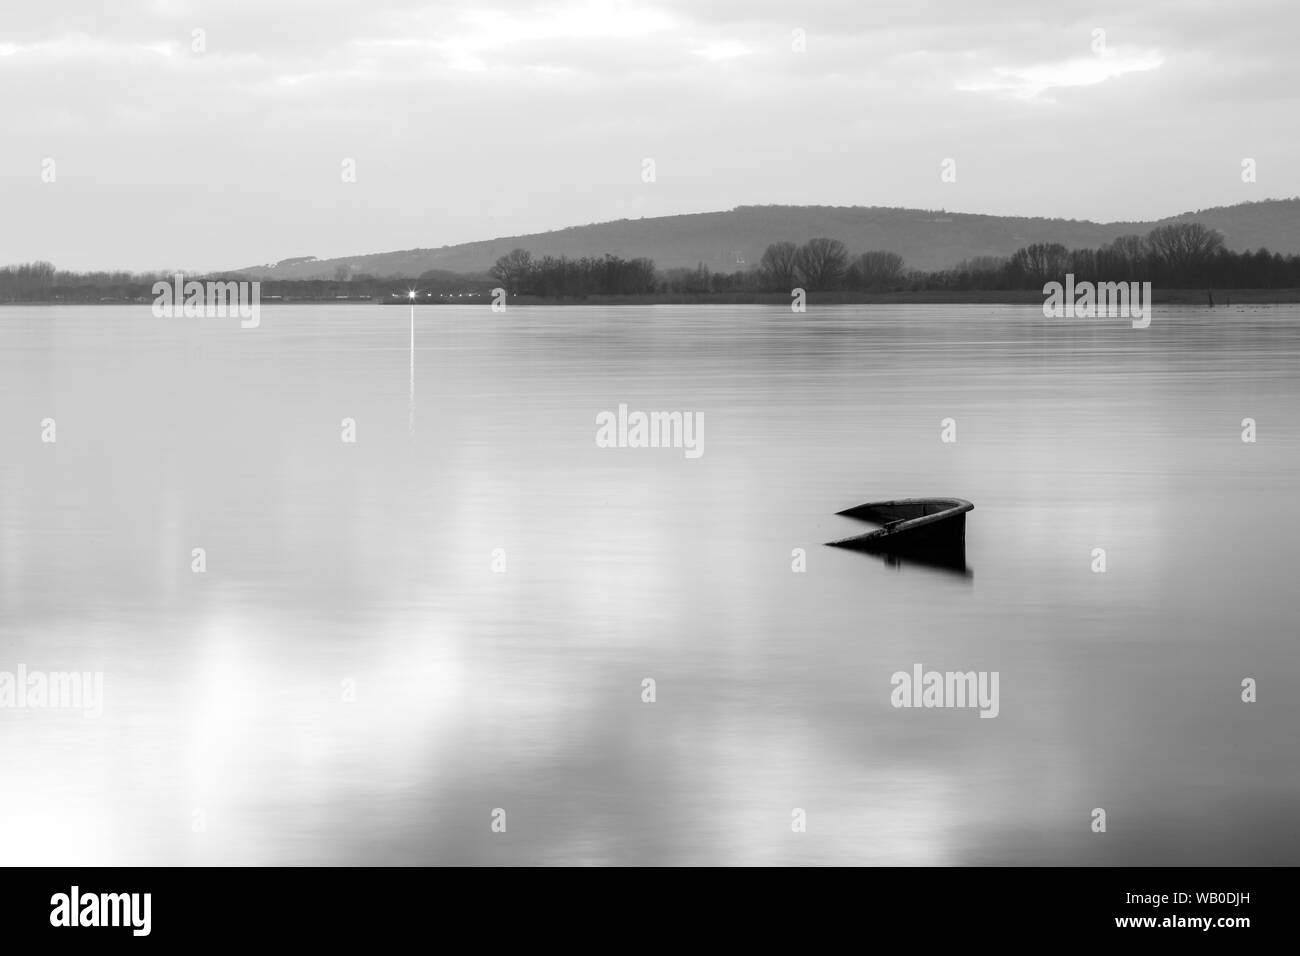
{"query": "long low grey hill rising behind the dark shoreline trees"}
(735, 240)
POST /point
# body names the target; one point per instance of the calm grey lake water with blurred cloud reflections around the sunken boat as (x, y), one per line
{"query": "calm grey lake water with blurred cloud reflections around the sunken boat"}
(366, 572)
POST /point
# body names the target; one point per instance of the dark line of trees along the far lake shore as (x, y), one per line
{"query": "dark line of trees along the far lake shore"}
(1180, 256)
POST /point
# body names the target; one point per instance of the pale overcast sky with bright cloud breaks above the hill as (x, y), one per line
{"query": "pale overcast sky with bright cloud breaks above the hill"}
(475, 120)
